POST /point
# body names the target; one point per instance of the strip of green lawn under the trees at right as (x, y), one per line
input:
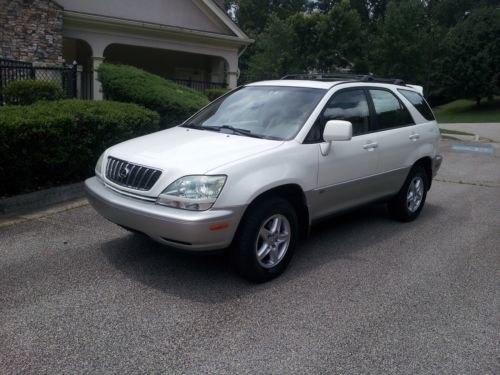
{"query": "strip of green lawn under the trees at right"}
(466, 111)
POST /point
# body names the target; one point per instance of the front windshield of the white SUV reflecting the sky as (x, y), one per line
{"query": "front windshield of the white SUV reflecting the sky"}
(272, 112)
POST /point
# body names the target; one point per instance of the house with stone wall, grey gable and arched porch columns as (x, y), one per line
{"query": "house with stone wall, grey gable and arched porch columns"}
(191, 40)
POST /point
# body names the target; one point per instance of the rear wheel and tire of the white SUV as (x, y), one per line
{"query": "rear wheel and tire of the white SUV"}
(408, 203)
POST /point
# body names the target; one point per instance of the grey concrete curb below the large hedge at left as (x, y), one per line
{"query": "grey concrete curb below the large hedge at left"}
(38, 200)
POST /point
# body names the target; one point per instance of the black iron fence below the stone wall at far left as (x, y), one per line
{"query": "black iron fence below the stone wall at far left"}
(66, 76)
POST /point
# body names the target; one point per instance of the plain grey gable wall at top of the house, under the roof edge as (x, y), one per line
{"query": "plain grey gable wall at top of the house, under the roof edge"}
(180, 13)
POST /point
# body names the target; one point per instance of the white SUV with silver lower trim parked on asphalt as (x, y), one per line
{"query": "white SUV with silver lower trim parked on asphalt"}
(255, 168)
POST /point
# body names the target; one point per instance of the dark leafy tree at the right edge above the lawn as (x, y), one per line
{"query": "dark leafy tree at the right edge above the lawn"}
(471, 59)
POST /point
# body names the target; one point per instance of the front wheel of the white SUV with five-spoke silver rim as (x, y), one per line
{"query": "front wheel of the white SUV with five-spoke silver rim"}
(266, 240)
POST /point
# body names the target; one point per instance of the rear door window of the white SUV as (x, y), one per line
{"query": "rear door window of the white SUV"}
(391, 113)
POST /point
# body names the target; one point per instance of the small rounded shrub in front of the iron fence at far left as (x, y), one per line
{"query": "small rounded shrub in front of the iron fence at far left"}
(30, 91)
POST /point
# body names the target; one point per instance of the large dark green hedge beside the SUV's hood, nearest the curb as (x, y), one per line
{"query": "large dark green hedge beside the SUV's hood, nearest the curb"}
(58, 142)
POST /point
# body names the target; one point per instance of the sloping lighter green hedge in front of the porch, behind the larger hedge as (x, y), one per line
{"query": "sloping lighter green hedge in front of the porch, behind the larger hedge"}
(173, 102)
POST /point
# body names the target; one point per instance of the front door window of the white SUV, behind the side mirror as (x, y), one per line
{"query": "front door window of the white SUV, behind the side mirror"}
(350, 106)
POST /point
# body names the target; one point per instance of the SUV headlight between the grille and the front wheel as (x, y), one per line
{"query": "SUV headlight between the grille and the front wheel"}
(195, 193)
